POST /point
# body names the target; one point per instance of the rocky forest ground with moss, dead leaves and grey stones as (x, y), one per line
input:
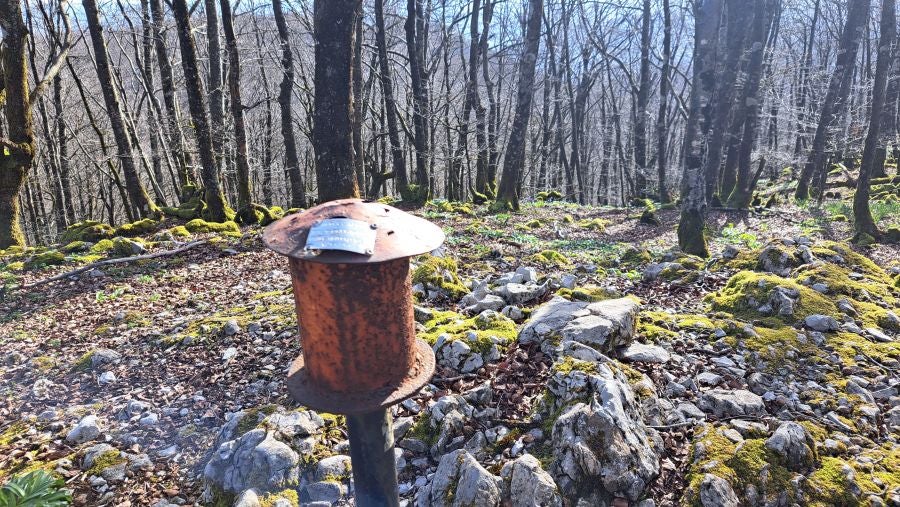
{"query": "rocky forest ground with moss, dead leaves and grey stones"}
(581, 361)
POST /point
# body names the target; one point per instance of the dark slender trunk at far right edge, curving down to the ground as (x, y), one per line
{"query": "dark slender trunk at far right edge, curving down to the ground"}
(863, 223)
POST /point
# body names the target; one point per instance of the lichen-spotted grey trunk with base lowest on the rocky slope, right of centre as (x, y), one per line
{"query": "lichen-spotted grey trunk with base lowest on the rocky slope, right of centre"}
(691, 237)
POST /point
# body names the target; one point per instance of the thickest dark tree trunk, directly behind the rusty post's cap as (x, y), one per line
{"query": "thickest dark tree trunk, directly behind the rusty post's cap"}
(332, 134)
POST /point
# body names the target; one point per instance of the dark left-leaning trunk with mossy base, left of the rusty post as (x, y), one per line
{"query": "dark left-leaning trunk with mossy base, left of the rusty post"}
(212, 189)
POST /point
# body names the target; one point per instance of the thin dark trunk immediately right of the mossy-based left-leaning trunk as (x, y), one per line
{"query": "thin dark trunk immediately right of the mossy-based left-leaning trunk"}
(245, 191)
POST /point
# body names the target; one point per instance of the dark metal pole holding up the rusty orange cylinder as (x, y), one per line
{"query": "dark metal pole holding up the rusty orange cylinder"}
(372, 456)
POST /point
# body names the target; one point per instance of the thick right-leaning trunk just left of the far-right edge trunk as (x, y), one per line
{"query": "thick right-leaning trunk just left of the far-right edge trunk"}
(838, 90)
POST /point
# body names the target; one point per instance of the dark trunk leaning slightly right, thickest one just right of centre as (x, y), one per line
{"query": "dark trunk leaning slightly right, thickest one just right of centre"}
(514, 161)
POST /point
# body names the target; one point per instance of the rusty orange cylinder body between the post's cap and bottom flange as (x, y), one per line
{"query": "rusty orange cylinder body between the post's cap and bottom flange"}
(357, 327)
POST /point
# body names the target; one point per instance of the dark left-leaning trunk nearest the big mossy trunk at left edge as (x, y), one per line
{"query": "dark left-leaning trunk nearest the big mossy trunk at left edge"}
(141, 203)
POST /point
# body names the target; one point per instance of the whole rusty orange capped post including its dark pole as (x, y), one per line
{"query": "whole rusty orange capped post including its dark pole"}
(349, 263)
